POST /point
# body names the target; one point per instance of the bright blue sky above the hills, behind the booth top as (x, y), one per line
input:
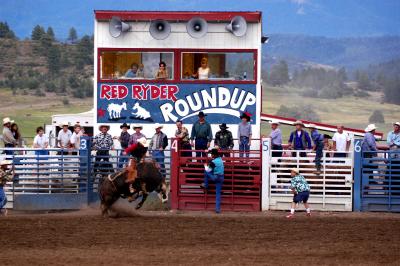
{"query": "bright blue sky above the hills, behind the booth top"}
(330, 18)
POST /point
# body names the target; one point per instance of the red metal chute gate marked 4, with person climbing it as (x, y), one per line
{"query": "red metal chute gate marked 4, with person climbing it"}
(241, 189)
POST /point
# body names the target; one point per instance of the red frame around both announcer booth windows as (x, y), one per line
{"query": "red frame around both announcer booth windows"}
(177, 54)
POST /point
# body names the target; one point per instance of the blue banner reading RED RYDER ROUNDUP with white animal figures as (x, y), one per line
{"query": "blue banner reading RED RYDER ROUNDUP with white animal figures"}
(167, 103)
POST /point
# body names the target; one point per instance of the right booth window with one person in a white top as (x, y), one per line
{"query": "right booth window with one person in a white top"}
(218, 66)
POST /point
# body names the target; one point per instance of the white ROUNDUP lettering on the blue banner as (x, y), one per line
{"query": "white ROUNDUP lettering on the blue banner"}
(219, 100)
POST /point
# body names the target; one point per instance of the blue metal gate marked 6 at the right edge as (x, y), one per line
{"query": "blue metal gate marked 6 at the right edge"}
(377, 177)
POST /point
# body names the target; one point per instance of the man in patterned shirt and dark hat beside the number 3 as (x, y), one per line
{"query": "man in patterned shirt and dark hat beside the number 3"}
(102, 144)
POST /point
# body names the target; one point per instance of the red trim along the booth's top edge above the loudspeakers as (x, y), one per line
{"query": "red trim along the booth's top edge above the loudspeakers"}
(176, 15)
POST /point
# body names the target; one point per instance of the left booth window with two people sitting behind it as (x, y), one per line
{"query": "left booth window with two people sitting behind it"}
(136, 65)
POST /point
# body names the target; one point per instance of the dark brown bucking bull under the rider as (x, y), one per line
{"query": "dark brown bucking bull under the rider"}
(114, 186)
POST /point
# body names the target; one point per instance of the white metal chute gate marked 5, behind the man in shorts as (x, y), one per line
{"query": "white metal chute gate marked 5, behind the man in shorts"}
(330, 191)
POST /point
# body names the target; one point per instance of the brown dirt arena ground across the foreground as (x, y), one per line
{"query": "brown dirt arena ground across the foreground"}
(199, 238)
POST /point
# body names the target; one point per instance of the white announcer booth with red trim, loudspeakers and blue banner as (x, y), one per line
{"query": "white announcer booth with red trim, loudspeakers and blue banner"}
(160, 67)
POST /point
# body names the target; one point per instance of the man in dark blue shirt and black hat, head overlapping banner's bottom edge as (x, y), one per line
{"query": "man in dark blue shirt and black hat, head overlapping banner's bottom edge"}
(201, 135)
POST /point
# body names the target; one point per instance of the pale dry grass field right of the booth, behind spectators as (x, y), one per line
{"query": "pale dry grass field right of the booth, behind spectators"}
(350, 111)
